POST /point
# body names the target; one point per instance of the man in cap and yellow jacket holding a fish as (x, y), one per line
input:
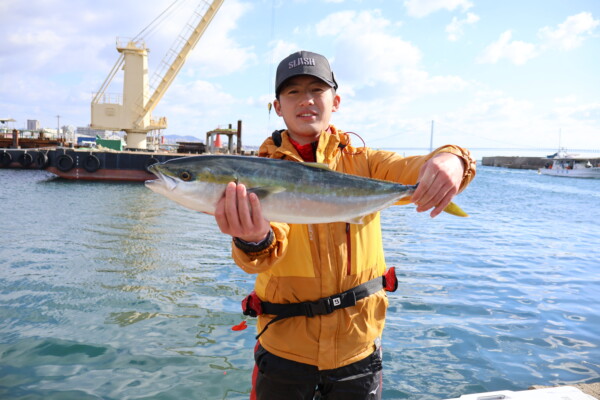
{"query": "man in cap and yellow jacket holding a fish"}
(310, 342)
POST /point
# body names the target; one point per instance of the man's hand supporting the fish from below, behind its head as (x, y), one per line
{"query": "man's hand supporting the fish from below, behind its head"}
(240, 215)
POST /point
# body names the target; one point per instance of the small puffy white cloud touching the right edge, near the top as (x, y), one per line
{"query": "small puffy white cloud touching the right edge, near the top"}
(571, 33)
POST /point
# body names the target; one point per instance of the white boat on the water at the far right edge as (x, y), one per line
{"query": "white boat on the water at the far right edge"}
(572, 166)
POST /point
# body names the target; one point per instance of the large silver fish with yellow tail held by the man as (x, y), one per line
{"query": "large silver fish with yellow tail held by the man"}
(292, 192)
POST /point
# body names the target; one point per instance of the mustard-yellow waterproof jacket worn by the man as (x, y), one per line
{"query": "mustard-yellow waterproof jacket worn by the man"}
(308, 262)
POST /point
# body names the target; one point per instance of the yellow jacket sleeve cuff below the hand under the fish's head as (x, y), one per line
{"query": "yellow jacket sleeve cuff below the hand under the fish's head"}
(263, 260)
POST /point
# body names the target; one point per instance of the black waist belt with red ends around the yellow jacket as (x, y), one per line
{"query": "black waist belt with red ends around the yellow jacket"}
(253, 306)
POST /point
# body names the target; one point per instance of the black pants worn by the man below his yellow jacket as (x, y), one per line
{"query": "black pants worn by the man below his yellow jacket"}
(277, 378)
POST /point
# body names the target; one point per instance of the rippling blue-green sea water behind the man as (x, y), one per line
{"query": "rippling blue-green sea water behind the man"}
(109, 291)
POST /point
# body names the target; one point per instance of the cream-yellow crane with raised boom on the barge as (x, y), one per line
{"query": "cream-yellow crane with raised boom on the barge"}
(132, 111)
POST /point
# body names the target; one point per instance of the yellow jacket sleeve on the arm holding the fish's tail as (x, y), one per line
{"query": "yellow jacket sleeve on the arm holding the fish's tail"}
(390, 166)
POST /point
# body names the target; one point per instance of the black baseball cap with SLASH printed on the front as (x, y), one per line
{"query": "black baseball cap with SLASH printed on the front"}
(304, 63)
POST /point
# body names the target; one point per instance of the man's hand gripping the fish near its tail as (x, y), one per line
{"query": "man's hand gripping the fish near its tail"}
(439, 181)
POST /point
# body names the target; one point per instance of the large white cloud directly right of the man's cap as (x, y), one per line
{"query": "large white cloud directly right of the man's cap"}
(380, 71)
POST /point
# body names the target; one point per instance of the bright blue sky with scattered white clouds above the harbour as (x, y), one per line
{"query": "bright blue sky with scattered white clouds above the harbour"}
(508, 74)
